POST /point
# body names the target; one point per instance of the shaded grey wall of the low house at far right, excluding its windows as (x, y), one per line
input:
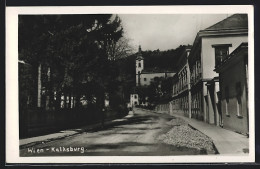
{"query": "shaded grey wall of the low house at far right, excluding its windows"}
(229, 78)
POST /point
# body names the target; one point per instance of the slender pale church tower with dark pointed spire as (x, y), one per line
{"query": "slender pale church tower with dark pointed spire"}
(139, 66)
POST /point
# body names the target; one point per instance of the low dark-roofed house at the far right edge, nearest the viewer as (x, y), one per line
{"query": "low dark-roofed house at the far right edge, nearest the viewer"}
(233, 75)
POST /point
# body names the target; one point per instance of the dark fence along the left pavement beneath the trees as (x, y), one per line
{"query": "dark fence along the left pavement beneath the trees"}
(38, 121)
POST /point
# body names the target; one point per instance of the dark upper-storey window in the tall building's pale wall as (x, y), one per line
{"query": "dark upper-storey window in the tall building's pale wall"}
(221, 53)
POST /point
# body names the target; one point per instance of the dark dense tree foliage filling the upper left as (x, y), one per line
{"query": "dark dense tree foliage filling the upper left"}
(78, 49)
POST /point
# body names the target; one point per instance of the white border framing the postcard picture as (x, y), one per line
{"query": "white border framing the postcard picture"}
(12, 138)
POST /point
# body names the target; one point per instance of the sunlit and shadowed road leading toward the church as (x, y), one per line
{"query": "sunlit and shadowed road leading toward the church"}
(136, 136)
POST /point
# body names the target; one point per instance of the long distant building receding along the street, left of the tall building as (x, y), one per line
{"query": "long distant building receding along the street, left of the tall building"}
(181, 96)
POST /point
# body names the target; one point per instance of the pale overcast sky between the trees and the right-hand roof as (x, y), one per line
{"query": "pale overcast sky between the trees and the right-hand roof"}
(165, 31)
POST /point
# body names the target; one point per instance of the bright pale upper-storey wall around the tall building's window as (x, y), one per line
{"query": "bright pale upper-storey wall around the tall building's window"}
(208, 52)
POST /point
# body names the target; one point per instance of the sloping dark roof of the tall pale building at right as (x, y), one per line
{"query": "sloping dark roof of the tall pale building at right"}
(234, 21)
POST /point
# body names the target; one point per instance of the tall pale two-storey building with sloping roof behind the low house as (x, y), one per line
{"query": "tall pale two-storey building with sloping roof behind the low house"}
(220, 39)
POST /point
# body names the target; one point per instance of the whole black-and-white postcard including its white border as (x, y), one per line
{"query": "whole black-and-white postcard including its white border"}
(136, 84)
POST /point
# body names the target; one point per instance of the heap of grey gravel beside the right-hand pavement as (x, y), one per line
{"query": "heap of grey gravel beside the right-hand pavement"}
(184, 136)
